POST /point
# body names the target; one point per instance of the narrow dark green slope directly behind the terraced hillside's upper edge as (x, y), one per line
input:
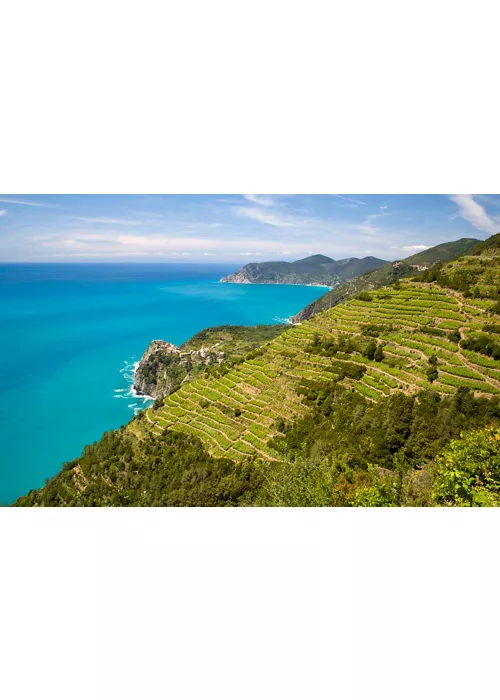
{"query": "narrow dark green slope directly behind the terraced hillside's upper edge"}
(388, 274)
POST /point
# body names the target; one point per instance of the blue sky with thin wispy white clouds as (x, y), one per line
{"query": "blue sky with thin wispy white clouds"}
(236, 228)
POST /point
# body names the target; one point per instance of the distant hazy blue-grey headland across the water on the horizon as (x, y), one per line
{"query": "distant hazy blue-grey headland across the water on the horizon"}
(317, 269)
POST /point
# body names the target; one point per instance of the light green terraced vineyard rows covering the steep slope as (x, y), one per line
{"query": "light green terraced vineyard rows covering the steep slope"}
(395, 339)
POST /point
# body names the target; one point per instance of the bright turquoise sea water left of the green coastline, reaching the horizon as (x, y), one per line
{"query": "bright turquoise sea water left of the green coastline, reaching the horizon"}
(72, 333)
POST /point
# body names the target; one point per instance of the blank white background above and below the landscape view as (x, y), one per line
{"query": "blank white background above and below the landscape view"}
(223, 97)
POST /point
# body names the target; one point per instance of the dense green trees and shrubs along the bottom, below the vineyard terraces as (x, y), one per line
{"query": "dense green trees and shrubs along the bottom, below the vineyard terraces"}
(346, 452)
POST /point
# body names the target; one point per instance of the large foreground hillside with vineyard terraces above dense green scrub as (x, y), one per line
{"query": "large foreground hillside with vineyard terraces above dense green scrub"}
(391, 398)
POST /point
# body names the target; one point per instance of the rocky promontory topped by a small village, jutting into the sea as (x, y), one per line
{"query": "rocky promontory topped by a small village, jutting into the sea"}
(164, 367)
